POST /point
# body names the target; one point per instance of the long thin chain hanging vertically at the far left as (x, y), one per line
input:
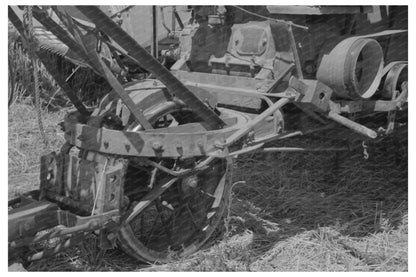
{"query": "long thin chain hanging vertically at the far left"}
(28, 18)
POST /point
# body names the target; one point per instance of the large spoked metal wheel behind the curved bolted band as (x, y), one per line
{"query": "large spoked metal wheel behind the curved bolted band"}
(184, 216)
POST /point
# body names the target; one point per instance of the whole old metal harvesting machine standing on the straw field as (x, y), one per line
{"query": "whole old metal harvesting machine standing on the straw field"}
(148, 169)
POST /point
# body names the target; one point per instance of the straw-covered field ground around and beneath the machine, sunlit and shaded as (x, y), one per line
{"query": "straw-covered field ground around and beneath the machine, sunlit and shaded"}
(289, 212)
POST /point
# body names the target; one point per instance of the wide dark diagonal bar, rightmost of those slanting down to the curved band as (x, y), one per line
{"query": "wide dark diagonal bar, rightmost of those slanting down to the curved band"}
(114, 31)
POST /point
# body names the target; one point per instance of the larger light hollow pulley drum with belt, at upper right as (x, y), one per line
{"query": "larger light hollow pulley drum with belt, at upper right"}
(353, 68)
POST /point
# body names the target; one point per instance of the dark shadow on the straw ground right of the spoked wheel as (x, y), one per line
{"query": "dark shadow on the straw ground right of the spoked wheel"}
(289, 193)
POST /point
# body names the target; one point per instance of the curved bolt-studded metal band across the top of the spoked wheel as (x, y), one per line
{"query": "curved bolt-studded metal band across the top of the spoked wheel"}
(143, 143)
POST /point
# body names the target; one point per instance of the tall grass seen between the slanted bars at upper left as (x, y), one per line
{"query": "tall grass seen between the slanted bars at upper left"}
(84, 82)
